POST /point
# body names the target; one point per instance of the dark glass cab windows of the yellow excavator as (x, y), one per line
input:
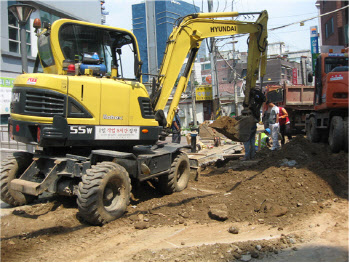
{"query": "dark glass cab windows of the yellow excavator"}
(114, 48)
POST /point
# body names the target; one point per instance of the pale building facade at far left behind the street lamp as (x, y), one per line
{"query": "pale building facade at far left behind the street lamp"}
(47, 11)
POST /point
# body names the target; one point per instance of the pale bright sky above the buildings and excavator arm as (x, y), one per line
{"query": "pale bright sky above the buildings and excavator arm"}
(281, 12)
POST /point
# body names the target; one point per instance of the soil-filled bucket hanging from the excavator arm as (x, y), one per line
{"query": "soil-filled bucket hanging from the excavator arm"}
(237, 129)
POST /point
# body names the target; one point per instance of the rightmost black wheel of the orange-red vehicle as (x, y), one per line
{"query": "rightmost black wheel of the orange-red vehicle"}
(336, 134)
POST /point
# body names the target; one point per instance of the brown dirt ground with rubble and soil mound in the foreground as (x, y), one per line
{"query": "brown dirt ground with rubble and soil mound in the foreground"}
(286, 205)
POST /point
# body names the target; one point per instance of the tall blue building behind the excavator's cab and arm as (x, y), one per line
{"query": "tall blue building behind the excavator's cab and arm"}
(153, 22)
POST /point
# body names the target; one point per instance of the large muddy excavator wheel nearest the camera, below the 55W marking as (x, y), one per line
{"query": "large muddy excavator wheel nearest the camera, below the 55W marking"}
(104, 193)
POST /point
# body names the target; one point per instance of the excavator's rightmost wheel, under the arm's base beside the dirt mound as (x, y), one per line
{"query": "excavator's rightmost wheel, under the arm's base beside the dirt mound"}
(178, 177)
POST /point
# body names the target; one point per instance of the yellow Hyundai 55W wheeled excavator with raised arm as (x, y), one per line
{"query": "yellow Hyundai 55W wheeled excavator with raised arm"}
(92, 121)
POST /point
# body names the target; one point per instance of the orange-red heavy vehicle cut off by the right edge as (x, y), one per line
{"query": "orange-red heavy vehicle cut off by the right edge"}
(329, 119)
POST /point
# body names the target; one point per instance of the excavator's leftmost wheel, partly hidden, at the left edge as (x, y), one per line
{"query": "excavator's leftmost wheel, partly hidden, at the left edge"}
(11, 168)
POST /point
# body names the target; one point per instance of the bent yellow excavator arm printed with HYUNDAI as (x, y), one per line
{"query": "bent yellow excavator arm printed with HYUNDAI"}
(185, 41)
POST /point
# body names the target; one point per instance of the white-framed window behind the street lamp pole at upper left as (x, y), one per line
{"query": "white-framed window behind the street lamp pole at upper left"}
(14, 35)
